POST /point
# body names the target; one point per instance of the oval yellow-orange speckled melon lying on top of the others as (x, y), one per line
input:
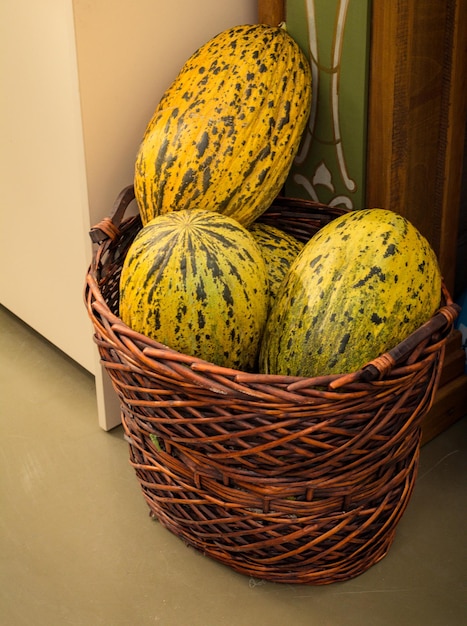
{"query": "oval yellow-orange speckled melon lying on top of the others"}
(225, 133)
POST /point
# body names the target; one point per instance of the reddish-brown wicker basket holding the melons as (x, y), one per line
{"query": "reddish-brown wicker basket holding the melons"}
(288, 479)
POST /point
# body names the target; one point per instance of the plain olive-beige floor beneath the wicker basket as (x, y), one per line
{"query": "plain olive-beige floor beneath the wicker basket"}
(77, 546)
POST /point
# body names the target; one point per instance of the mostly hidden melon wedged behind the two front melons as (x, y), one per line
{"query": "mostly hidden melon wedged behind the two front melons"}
(279, 250)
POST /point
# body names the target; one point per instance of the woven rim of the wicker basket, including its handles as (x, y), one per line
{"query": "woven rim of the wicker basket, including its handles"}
(108, 231)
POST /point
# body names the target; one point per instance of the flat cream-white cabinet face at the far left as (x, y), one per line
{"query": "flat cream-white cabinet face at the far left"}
(43, 214)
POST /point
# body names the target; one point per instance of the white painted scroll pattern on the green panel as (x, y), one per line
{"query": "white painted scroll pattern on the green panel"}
(322, 174)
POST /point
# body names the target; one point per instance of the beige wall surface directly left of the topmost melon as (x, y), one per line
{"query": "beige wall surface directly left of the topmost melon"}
(128, 53)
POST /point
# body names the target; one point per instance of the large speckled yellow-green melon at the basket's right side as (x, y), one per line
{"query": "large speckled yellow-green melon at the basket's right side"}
(361, 285)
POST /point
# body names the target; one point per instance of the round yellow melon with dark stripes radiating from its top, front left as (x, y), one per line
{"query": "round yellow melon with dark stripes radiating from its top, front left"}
(196, 282)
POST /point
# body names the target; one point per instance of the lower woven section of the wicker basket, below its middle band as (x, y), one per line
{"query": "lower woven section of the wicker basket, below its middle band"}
(313, 546)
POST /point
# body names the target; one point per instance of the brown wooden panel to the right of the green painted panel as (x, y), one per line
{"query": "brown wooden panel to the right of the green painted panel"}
(416, 122)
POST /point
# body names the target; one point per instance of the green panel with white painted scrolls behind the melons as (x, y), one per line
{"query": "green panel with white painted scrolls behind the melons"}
(330, 165)
